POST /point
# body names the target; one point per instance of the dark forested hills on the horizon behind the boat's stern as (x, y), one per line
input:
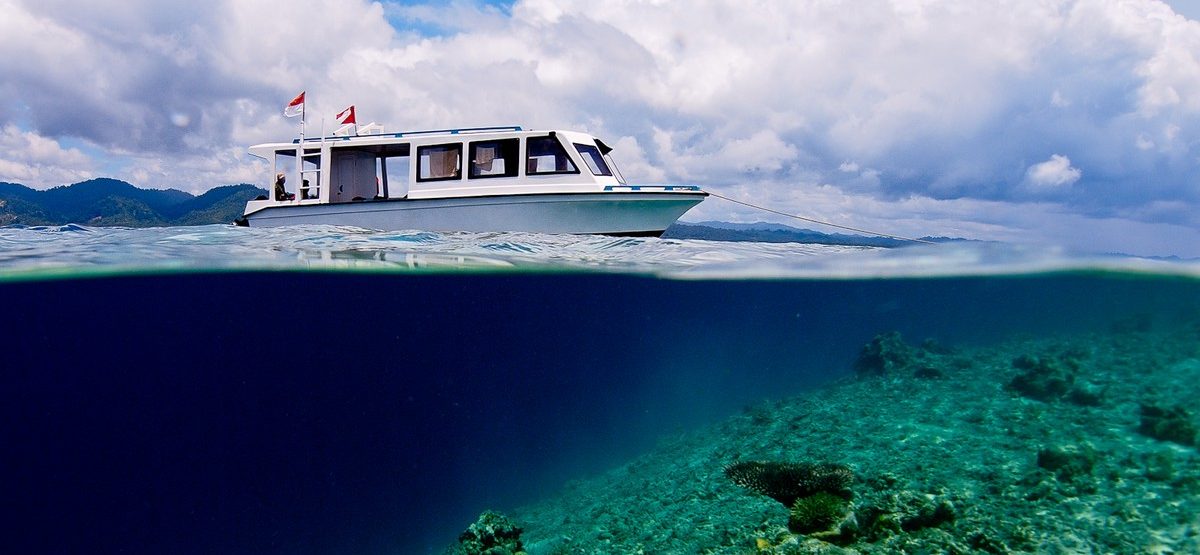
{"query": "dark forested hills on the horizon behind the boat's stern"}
(111, 202)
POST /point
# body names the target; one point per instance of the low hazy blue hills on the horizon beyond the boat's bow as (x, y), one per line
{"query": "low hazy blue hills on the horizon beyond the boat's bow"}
(765, 232)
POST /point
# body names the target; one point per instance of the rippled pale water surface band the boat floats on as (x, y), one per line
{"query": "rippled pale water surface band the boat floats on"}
(51, 252)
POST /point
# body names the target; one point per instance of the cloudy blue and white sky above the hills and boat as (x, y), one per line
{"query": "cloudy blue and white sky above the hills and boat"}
(1070, 123)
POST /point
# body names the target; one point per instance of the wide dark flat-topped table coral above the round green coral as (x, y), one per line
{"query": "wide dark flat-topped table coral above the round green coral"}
(788, 482)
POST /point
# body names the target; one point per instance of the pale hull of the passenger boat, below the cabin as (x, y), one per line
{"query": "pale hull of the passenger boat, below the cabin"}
(602, 213)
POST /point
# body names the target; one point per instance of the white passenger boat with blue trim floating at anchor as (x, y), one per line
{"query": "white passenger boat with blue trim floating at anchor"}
(476, 180)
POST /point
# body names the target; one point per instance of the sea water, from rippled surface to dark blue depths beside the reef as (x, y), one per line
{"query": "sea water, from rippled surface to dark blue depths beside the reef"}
(339, 391)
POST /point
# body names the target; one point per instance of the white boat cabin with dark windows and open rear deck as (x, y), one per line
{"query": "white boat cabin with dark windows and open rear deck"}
(443, 164)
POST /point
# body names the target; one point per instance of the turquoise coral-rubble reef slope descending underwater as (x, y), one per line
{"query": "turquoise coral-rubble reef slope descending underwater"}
(1067, 445)
